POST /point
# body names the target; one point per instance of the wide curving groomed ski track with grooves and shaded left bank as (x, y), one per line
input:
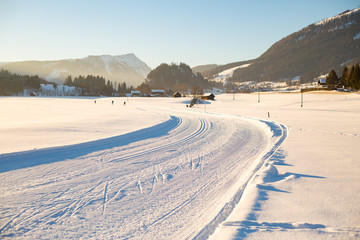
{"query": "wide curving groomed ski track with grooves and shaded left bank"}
(178, 179)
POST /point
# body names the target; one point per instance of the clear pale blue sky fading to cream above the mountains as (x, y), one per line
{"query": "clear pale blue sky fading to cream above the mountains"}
(161, 31)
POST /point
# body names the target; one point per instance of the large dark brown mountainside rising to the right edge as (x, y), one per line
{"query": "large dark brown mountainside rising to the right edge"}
(308, 53)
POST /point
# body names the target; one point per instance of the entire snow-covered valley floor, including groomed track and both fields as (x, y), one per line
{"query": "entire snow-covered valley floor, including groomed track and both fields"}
(154, 169)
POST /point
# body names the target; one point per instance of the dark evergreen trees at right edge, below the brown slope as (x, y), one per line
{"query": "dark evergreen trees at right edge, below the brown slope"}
(350, 77)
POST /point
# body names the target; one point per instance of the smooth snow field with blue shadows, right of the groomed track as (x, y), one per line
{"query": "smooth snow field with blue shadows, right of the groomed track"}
(309, 188)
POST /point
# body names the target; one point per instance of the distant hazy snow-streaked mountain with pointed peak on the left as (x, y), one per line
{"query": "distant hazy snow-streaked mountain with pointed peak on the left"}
(123, 68)
